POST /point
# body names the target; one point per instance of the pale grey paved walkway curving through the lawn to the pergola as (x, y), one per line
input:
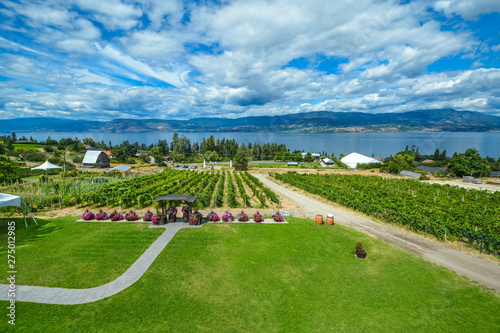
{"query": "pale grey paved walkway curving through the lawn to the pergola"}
(50, 295)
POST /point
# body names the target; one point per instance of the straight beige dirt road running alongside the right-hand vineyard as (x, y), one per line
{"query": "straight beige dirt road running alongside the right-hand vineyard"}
(484, 272)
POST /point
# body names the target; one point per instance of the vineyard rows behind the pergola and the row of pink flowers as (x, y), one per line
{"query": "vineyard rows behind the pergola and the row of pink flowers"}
(213, 189)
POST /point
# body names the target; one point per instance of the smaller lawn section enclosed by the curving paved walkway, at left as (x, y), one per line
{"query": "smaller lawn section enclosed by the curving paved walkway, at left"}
(64, 253)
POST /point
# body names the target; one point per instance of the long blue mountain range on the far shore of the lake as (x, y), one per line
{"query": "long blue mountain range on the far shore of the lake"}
(446, 120)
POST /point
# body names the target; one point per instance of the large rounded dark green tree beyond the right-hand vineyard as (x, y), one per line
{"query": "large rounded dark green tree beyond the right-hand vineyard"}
(469, 163)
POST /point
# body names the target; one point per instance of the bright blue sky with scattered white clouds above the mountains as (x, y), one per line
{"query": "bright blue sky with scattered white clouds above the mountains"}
(106, 59)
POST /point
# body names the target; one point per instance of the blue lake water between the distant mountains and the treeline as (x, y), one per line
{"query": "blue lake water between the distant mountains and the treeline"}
(379, 144)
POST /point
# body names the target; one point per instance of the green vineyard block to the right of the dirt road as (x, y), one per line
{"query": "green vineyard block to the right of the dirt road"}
(446, 212)
